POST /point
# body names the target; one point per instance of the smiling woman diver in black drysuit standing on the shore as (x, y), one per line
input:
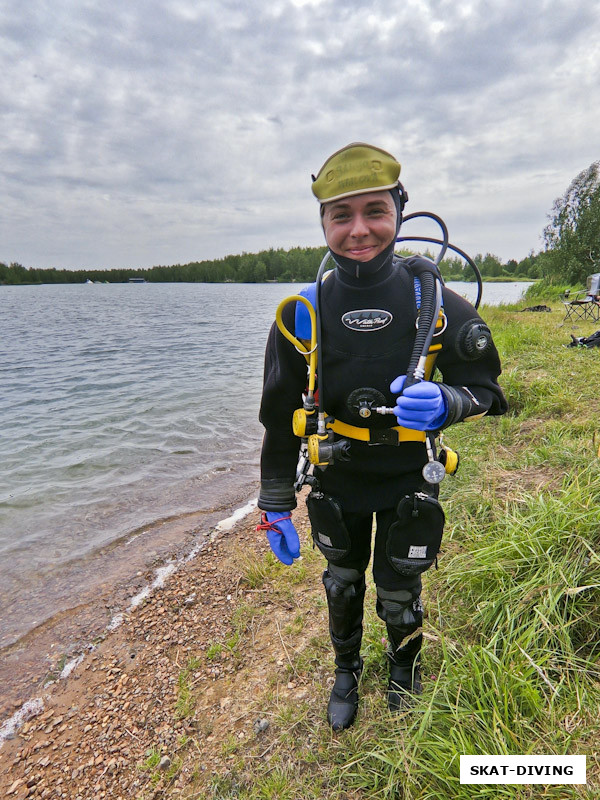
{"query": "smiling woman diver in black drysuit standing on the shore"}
(368, 312)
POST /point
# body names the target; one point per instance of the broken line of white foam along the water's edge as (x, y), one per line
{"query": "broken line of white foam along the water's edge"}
(32, 708)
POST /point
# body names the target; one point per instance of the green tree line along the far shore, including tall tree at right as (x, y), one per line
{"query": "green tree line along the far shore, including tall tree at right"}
(571, 252)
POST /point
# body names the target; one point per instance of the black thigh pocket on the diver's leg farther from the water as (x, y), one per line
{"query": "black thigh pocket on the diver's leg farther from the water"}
(414, 539)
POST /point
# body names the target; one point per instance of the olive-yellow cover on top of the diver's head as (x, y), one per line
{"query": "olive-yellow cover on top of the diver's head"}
(355, 169)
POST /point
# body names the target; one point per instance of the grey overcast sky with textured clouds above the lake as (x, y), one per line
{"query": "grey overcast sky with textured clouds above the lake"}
(146, 132)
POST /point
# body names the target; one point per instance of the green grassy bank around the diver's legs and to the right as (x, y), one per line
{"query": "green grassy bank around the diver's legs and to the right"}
(513, 615)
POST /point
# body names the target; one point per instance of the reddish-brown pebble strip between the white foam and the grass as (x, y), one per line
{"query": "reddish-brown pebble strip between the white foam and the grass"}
(96, 727)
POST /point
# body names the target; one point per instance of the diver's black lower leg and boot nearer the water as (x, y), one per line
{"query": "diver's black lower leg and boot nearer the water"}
(345, 590)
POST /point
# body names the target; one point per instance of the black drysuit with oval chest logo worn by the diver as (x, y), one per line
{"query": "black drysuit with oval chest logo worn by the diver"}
(376, 476)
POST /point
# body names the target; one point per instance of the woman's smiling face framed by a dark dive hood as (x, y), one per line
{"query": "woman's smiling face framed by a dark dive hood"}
(360, 227)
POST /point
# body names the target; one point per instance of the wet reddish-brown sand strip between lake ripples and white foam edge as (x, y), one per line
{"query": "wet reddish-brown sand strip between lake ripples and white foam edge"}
(96, 605)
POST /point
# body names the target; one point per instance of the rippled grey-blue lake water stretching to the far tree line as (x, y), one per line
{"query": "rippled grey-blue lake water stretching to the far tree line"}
(123, 407)
